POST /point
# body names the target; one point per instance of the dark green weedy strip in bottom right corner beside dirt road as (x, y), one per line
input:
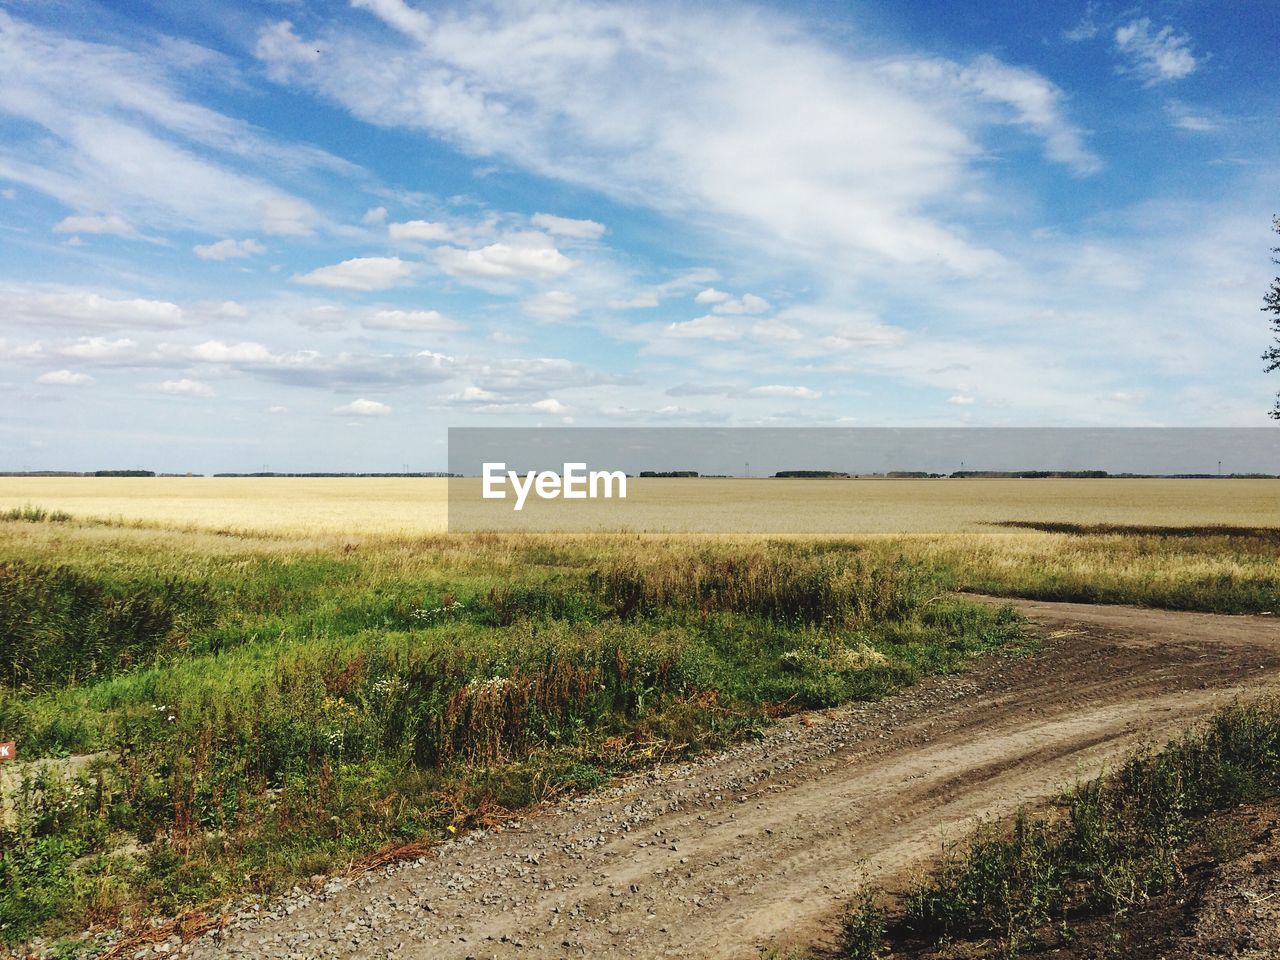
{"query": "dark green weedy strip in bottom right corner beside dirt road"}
(1112, 845)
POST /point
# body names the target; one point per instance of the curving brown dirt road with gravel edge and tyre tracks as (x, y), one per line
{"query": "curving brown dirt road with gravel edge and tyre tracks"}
(761, 847)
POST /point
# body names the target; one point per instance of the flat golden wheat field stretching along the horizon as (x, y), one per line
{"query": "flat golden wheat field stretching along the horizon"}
(417, 506)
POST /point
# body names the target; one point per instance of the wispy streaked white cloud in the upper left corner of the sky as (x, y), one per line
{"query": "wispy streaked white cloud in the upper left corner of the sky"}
(111, 129)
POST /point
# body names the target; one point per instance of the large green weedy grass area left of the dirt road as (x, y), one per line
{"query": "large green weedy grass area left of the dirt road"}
(218, 716)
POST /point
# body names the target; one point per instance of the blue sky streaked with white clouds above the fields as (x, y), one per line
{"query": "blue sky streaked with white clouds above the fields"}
(314, 236)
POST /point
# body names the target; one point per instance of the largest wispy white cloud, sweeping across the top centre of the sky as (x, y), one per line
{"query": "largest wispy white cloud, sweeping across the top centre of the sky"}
(861, 154)
